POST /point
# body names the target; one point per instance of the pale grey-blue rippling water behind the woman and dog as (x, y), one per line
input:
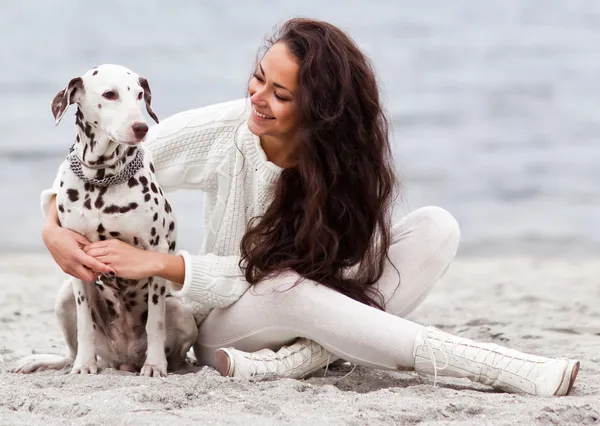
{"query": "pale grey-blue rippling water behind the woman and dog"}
(495, 105)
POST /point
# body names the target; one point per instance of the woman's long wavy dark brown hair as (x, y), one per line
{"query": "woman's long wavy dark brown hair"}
(332, 211)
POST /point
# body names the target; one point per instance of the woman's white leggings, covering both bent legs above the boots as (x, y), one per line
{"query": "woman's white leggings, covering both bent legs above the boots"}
(271, 314)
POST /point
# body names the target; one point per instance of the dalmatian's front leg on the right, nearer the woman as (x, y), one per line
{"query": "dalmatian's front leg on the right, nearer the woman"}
(156, 360)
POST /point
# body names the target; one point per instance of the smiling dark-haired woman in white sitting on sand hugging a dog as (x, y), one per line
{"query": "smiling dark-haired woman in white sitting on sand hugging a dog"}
(299, 186)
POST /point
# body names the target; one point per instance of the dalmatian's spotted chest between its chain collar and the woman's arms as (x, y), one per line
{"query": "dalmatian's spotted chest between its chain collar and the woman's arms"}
(136, 211)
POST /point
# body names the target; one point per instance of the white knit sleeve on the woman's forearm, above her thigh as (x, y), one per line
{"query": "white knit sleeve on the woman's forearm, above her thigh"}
(211, 280)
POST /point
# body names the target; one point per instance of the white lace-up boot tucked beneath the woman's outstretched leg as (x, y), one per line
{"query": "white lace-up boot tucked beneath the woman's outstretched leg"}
(296, 361)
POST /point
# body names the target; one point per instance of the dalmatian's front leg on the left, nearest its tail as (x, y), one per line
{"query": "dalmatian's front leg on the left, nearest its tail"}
(85, 360)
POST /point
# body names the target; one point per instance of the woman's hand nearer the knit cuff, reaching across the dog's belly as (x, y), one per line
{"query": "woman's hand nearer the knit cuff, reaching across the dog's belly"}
(127, 261)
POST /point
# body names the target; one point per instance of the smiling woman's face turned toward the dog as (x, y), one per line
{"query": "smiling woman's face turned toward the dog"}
(273, 95)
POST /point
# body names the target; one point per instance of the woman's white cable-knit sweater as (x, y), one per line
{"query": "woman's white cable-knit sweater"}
(211, 149)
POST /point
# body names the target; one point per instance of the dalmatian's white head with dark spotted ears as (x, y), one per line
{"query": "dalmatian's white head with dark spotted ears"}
(109, 97)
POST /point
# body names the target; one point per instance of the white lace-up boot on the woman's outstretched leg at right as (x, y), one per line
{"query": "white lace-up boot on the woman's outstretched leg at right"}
(506, 369)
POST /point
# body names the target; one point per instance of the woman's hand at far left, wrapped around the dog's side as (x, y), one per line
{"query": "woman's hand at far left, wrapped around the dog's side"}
(66, 247)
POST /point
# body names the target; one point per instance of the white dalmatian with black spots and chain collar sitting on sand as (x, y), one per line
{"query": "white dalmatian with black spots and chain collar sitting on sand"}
(108, 189)
